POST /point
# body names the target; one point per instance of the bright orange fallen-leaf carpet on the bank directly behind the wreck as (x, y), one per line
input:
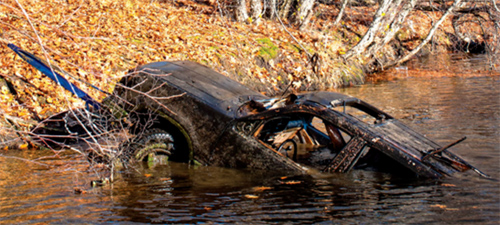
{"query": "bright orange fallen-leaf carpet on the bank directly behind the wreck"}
(100, 40)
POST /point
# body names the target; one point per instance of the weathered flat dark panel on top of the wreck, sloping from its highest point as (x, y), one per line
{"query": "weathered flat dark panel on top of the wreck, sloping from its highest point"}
(214, 89)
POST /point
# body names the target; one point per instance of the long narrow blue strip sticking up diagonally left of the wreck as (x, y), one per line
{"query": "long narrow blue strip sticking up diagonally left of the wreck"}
(45, 69)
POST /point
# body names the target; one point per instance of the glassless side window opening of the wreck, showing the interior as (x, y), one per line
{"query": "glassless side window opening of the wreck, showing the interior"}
(304, 138)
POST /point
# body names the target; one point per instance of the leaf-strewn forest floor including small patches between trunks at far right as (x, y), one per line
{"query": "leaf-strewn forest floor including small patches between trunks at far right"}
(98, 41)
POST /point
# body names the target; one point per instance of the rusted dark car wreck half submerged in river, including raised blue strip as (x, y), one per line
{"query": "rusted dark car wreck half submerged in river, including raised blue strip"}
(186, 112)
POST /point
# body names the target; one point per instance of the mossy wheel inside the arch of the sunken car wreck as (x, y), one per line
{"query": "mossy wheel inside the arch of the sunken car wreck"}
(155, 146)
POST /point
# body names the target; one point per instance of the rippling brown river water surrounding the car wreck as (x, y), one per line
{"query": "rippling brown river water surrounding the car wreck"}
(444, 108)
